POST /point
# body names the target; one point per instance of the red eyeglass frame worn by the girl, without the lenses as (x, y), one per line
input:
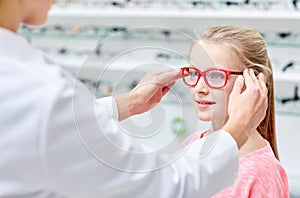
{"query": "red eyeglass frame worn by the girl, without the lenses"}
(203, 73)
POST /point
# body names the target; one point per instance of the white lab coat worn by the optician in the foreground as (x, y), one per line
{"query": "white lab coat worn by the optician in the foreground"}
(42, 153)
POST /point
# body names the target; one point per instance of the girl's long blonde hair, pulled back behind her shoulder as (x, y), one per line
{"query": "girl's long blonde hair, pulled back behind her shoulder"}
(251, 49)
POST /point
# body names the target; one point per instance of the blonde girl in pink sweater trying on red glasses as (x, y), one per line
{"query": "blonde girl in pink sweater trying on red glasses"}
(232, 49)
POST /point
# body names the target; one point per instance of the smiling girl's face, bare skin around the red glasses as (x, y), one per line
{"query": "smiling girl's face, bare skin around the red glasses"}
(212, 104)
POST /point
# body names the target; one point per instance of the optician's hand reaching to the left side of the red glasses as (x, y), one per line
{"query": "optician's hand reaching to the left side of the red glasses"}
(147, 93)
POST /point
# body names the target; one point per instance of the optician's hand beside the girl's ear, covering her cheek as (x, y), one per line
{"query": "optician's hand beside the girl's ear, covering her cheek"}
(247, 106)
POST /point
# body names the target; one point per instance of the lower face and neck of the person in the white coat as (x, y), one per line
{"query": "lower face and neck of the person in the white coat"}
(35, 11)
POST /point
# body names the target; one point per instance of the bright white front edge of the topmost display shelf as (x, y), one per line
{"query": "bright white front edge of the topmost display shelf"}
(171, 13)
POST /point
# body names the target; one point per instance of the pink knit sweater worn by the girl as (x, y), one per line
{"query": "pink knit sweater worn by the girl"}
(260, 176)
